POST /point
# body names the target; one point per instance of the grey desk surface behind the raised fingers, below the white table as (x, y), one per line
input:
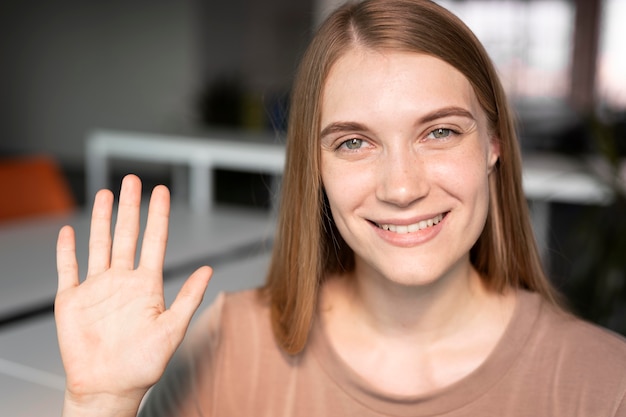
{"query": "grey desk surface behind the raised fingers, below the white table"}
(28, 278)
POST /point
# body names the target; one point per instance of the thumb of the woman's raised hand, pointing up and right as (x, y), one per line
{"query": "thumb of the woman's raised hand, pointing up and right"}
(188, 300)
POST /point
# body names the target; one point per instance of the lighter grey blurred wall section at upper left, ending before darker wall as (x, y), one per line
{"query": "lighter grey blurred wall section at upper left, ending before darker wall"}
(69, 66)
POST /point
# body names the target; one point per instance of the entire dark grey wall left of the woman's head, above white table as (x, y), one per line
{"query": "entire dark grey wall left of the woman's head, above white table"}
(70, 66)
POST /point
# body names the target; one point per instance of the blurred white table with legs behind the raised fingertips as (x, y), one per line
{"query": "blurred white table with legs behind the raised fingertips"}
(255, 153)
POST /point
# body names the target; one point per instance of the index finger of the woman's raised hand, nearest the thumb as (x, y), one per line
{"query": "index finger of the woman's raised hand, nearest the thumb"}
(155, 237)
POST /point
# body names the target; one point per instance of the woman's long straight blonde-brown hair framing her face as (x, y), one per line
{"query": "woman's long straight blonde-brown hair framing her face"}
(308, 246)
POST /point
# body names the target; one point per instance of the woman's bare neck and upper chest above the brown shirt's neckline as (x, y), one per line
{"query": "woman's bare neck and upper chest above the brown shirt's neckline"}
(388, 333)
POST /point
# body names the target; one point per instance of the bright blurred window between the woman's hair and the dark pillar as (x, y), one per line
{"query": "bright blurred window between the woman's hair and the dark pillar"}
(529, 42)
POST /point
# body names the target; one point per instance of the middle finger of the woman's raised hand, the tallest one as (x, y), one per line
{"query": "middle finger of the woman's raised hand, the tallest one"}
(127, 224)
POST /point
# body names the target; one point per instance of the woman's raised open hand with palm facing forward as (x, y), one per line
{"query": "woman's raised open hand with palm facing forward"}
(115, 333)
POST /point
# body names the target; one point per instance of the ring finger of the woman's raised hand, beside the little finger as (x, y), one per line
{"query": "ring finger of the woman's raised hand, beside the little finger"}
(100, 233)
